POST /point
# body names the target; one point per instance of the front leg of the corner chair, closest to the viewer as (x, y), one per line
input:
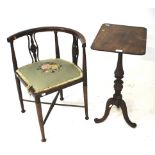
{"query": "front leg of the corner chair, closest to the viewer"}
(40, 117)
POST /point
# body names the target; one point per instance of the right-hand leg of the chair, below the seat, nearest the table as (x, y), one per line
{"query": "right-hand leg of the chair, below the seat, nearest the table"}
(85, 93)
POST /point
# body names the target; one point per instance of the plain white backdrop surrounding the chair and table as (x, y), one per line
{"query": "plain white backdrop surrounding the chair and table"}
(66, 130)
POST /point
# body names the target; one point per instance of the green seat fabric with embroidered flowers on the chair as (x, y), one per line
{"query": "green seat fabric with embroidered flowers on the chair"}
(47, 74)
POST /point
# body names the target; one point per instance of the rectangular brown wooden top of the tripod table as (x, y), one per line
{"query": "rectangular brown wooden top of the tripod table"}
(121, 38)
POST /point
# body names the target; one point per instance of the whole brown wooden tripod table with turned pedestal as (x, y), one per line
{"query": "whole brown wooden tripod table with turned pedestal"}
(120, 39)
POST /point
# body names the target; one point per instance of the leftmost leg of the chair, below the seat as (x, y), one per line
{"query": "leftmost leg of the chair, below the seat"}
(20, 94)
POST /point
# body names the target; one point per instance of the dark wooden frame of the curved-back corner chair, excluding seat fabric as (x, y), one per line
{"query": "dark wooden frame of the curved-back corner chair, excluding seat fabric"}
(34, 53)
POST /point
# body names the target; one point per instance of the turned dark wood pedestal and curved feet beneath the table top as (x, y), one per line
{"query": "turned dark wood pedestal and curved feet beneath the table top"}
(117, 97)
